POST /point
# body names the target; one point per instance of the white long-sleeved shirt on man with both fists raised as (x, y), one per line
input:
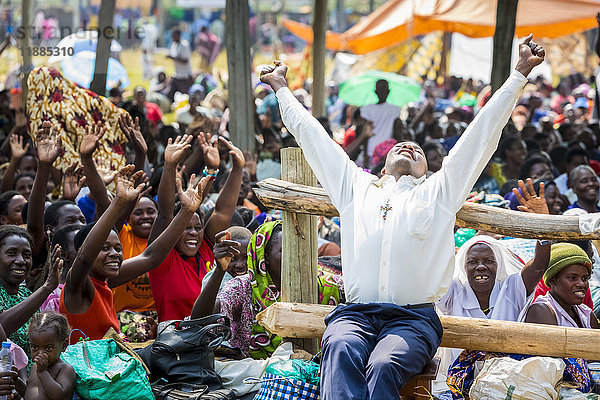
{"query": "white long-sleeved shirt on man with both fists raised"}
(408, 257)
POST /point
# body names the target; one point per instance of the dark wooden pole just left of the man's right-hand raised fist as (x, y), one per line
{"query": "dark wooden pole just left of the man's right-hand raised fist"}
(506, 16)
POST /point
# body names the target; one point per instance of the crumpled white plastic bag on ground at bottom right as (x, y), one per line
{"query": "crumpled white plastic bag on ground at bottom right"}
(533, 378)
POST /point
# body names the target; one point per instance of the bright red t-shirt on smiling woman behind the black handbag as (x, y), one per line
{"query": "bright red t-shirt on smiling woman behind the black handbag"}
(177, 282)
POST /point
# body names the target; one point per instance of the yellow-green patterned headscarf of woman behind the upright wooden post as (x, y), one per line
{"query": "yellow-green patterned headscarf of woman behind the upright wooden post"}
(265, 293)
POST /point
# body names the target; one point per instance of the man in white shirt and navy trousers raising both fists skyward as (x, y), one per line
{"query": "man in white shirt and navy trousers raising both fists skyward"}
(397, 240)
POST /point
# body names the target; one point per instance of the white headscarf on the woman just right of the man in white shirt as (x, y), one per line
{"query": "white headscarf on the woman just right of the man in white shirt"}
(508, 263)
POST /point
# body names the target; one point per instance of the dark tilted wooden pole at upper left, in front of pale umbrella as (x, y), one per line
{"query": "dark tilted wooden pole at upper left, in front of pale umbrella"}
(105, 36)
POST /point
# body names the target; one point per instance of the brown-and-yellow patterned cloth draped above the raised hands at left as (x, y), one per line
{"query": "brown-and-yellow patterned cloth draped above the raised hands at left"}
(51, 97)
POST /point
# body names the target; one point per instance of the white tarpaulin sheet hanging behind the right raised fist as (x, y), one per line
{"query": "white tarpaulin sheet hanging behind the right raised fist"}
(472, 58)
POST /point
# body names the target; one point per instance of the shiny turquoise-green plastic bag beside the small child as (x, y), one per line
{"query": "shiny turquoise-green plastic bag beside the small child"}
(105, 372)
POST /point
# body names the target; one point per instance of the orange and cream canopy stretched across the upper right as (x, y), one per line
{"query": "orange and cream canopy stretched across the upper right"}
(397, 20)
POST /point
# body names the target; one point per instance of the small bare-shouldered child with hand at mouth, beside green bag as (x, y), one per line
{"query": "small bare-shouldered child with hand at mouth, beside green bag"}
(50, 377)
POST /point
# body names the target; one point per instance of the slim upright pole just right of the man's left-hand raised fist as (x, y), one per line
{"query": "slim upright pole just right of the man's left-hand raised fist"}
(319, 32)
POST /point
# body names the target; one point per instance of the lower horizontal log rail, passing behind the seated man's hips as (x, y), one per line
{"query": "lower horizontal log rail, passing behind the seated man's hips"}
(306, 320)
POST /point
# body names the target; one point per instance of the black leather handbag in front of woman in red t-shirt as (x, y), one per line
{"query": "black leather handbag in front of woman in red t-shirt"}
(183, 351)
